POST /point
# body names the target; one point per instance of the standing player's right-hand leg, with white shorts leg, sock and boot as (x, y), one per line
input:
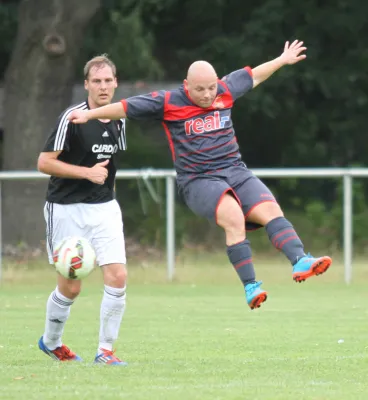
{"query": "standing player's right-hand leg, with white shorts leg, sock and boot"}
(107, 239)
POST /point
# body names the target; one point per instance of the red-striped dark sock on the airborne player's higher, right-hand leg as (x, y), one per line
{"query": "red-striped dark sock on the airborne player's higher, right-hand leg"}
(283, 236)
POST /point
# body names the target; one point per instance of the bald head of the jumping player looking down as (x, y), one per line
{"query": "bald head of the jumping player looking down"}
(201, 83)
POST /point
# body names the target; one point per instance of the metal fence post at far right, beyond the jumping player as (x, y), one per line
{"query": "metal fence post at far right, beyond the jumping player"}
(348, 226)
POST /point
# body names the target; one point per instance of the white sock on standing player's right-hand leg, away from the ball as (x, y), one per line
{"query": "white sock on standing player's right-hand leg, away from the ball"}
(112, 311)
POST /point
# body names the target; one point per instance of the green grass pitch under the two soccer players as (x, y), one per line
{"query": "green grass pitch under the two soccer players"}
(194, 338)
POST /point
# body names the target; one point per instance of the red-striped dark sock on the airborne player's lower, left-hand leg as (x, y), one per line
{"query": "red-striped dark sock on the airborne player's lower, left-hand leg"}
(240, 255)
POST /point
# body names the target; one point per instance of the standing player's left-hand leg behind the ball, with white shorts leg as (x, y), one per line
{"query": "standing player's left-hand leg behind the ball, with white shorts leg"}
(59, 226)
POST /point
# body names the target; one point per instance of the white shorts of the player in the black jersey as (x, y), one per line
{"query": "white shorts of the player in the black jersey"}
(101, 224)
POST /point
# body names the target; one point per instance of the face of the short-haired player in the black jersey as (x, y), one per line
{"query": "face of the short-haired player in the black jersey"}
(100, 84)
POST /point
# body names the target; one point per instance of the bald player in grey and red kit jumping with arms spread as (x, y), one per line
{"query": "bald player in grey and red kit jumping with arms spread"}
(211, 176)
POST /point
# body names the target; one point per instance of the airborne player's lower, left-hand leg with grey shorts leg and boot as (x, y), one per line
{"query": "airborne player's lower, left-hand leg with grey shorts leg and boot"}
(214, 199)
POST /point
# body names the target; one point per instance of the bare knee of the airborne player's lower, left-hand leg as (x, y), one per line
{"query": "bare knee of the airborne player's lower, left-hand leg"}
(231, 218)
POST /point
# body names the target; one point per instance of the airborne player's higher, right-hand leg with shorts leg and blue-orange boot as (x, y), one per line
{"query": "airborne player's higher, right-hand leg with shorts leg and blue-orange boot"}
(261, 209)
